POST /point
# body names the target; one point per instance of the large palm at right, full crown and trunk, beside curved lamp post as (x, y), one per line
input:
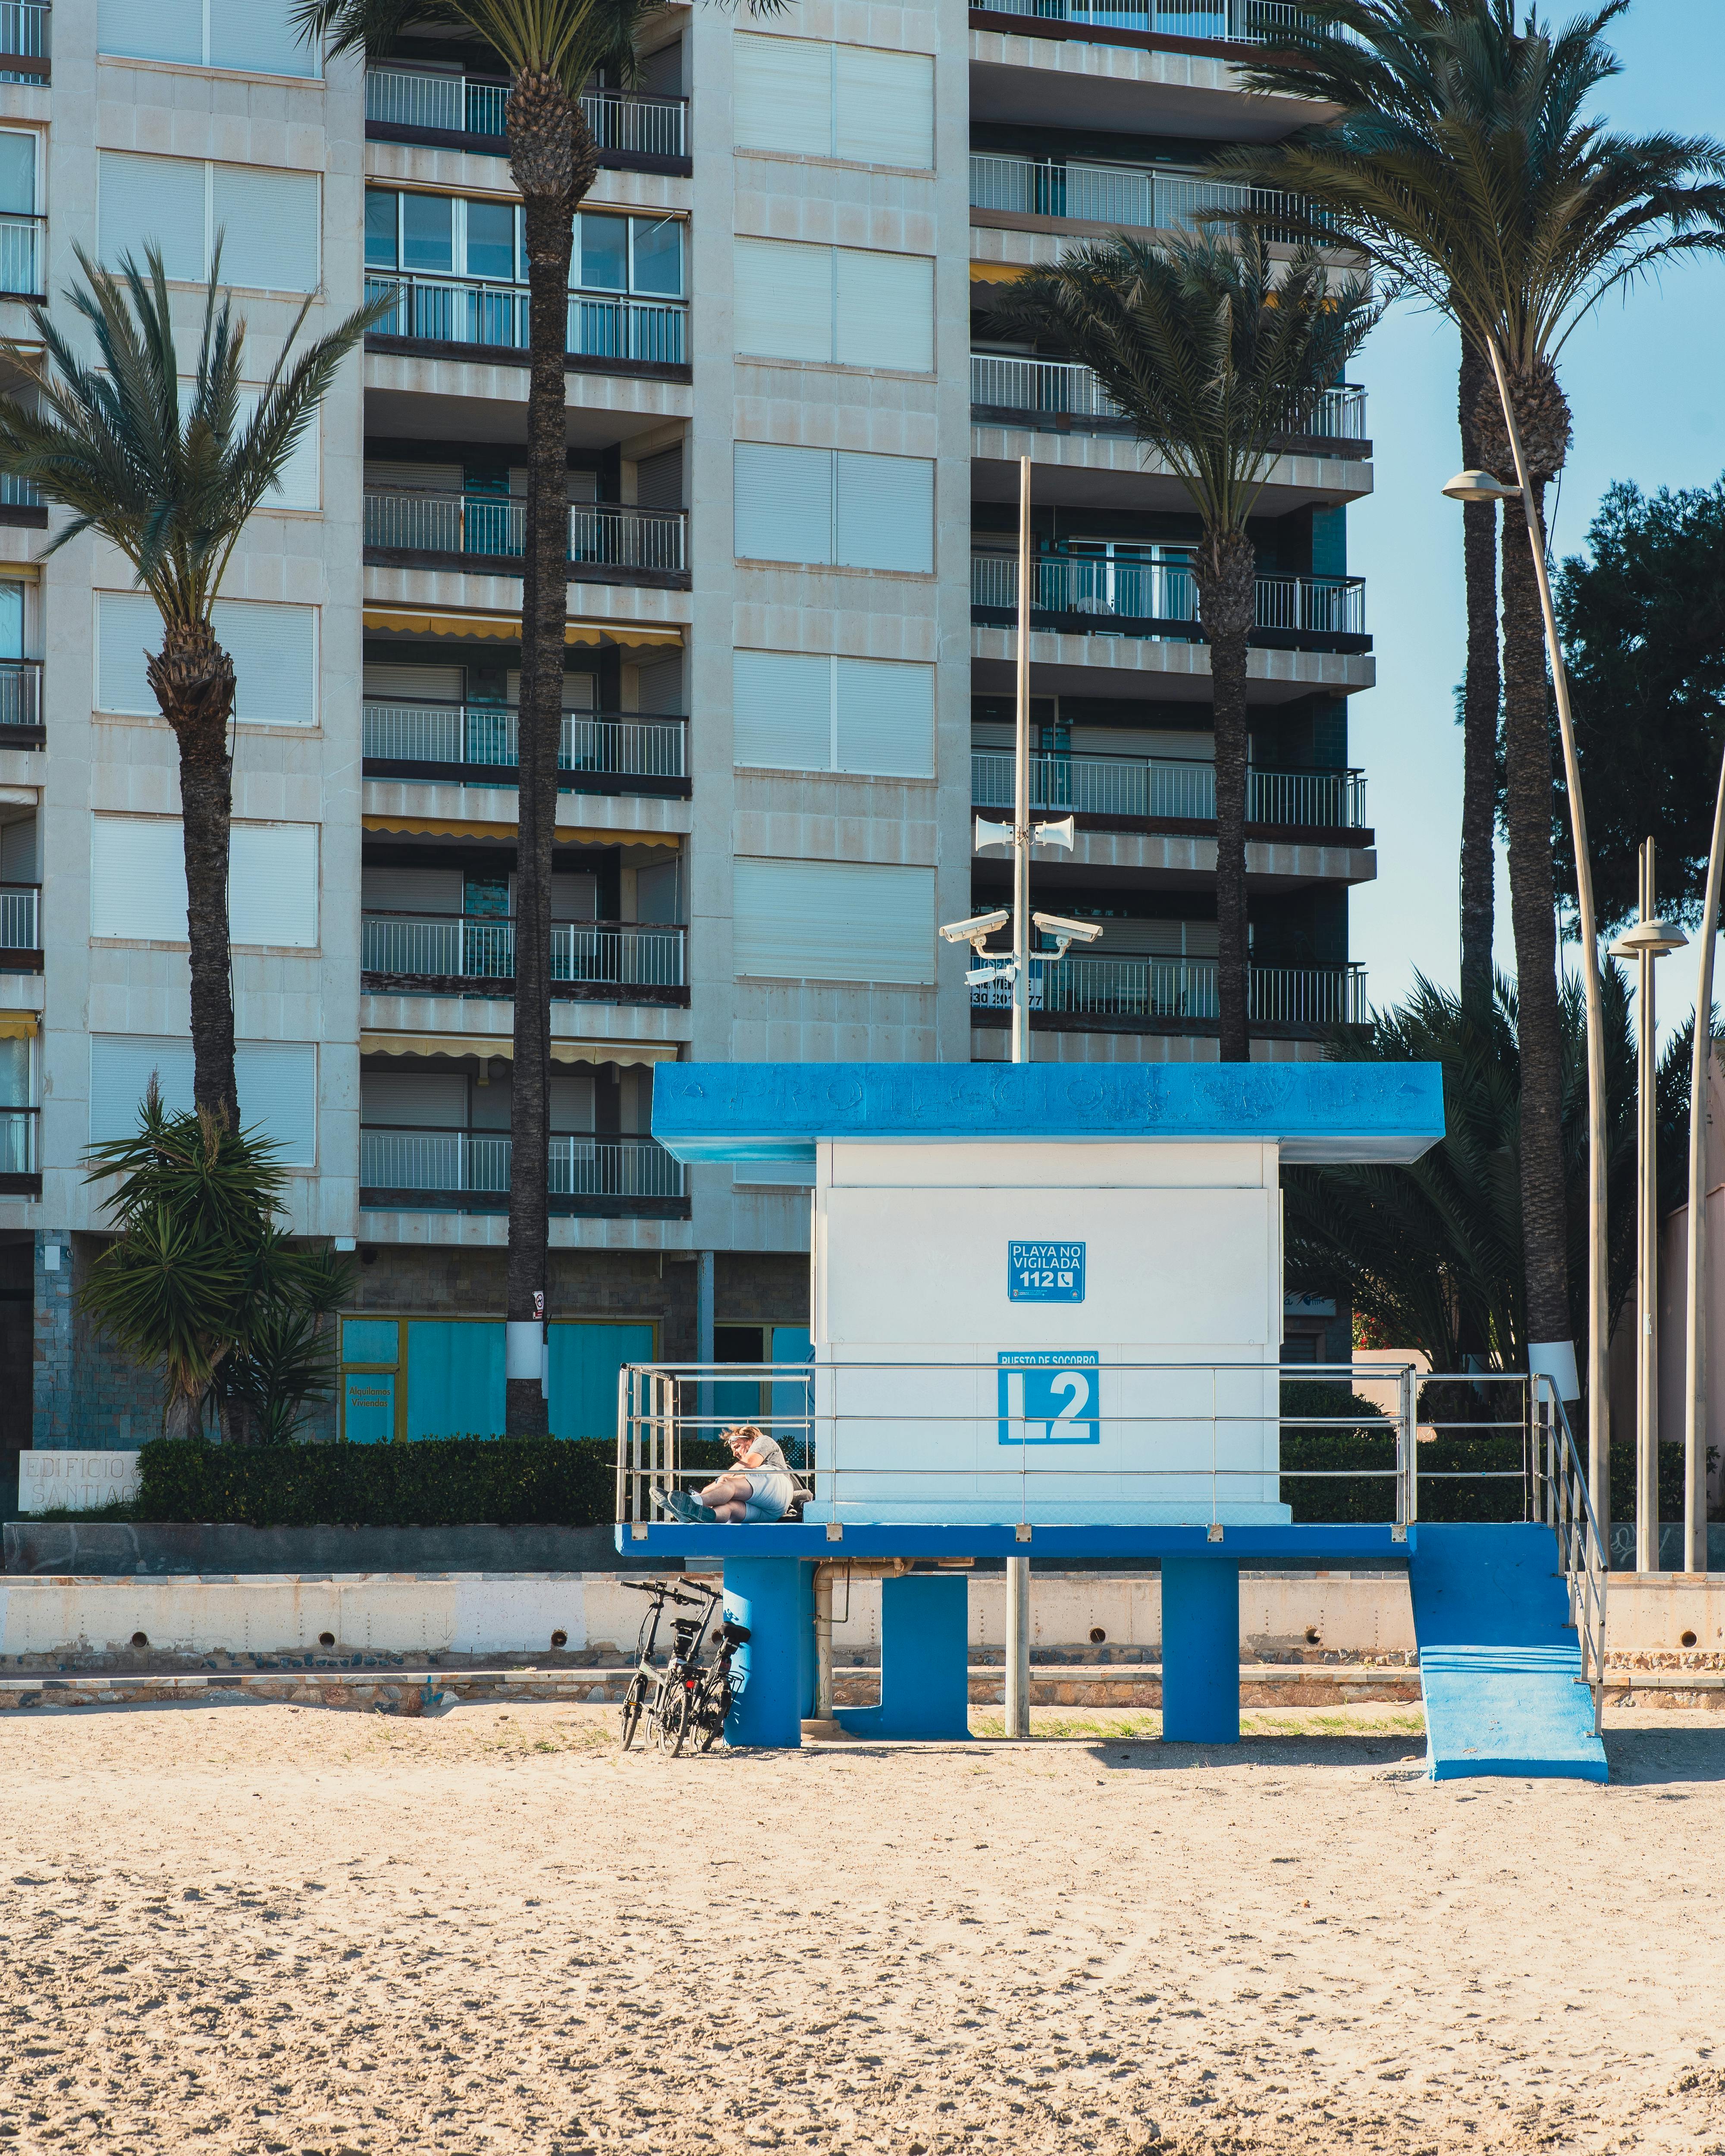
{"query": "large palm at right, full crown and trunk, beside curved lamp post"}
(1506, 208)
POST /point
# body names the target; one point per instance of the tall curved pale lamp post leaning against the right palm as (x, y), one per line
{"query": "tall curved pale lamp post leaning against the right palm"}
(1599, 1314)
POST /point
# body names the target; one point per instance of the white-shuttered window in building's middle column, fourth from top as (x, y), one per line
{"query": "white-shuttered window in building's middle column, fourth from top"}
(833, 715)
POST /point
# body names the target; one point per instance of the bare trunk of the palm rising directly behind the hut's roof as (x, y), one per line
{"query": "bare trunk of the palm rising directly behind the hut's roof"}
(1228, 592)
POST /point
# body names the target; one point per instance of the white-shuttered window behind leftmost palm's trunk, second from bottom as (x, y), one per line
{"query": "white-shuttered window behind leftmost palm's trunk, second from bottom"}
(139, 881)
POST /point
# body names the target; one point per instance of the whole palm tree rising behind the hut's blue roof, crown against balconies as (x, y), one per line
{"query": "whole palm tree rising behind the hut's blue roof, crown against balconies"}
(1215, 355)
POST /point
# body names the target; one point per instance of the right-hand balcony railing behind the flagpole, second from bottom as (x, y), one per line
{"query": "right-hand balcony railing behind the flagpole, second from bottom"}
(1168, 788)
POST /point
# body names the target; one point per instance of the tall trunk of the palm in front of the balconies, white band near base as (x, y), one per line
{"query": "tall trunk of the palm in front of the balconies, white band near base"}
(553, 161)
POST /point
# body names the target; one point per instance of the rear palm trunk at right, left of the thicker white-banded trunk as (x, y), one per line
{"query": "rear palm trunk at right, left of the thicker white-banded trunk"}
(1480, 708)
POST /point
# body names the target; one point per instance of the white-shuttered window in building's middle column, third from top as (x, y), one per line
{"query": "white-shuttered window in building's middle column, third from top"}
(833, 506)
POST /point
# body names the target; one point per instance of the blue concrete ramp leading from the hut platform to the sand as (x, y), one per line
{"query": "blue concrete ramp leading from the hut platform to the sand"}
(1498, 1659)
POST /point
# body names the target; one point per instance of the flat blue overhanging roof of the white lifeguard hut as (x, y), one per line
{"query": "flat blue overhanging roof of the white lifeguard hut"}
(1314, 1111)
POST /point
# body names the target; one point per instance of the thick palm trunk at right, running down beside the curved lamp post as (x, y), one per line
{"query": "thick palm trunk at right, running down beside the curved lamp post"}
(1534, 915)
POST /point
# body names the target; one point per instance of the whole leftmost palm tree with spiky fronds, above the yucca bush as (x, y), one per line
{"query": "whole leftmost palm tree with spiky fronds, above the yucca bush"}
(171, 478)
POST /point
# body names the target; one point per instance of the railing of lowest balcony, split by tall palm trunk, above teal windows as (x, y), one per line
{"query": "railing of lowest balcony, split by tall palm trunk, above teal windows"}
(417, 1170)
